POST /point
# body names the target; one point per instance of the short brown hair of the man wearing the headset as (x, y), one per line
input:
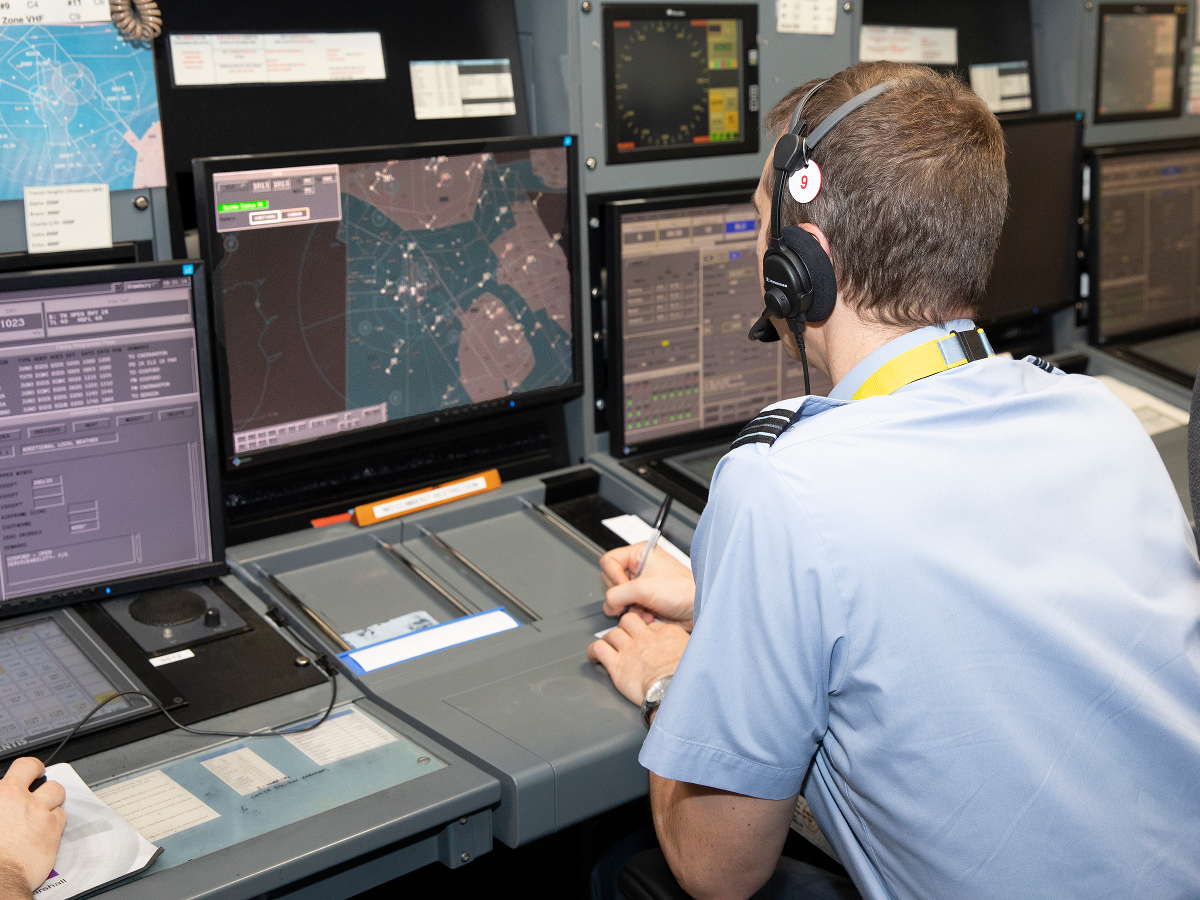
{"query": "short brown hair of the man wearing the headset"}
(914, 191)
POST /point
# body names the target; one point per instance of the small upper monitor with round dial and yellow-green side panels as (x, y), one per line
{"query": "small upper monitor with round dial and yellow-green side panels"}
(681, 82)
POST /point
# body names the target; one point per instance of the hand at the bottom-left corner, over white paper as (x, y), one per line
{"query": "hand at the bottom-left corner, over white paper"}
(31, 829)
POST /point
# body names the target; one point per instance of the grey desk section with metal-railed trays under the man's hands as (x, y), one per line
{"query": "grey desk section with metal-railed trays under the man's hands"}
(525, 705)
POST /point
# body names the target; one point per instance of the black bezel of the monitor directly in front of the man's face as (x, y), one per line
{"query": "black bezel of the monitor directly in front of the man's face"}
(614, 208)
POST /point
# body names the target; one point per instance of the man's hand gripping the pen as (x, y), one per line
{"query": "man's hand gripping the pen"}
(664, 590)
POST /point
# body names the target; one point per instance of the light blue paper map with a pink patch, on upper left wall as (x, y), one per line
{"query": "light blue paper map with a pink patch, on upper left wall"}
(79, 105)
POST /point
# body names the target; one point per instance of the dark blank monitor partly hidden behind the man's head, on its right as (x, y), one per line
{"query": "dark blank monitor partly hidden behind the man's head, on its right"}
(1036, 262)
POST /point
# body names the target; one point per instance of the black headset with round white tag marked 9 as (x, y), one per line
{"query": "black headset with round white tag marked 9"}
(799, 280)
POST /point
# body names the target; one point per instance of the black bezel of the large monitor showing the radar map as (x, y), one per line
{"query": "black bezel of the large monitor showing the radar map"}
(207, 167)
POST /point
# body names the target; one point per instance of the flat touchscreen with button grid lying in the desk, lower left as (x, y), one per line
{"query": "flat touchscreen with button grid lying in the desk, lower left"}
(47, 686)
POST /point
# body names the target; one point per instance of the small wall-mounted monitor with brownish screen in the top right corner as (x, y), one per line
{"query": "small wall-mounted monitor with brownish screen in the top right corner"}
(1139, 62)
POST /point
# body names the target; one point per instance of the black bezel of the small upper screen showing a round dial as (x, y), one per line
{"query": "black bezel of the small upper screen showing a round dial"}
(748, 14)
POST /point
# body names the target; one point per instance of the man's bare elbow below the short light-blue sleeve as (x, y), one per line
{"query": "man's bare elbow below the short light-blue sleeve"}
(719, 845)
